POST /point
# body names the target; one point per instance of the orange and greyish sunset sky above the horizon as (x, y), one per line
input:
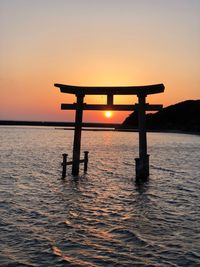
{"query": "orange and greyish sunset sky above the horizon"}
(95, 42)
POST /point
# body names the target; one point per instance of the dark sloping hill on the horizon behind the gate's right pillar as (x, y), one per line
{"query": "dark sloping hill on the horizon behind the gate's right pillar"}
(183, 116)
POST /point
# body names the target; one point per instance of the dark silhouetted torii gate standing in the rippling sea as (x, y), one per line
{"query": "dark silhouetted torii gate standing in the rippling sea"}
(142, 163)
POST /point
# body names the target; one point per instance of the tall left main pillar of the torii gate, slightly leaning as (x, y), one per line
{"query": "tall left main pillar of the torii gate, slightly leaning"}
(77, 134)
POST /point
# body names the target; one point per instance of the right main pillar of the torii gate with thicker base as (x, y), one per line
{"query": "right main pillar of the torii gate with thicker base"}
(142, 163)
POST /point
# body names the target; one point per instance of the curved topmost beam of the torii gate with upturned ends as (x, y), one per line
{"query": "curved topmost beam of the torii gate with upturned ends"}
(111, 90)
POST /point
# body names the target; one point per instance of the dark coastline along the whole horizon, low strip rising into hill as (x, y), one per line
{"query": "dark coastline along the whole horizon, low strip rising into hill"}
(182, 117)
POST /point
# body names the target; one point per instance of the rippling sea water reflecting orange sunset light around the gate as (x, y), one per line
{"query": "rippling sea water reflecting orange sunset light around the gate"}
(102, 218)
